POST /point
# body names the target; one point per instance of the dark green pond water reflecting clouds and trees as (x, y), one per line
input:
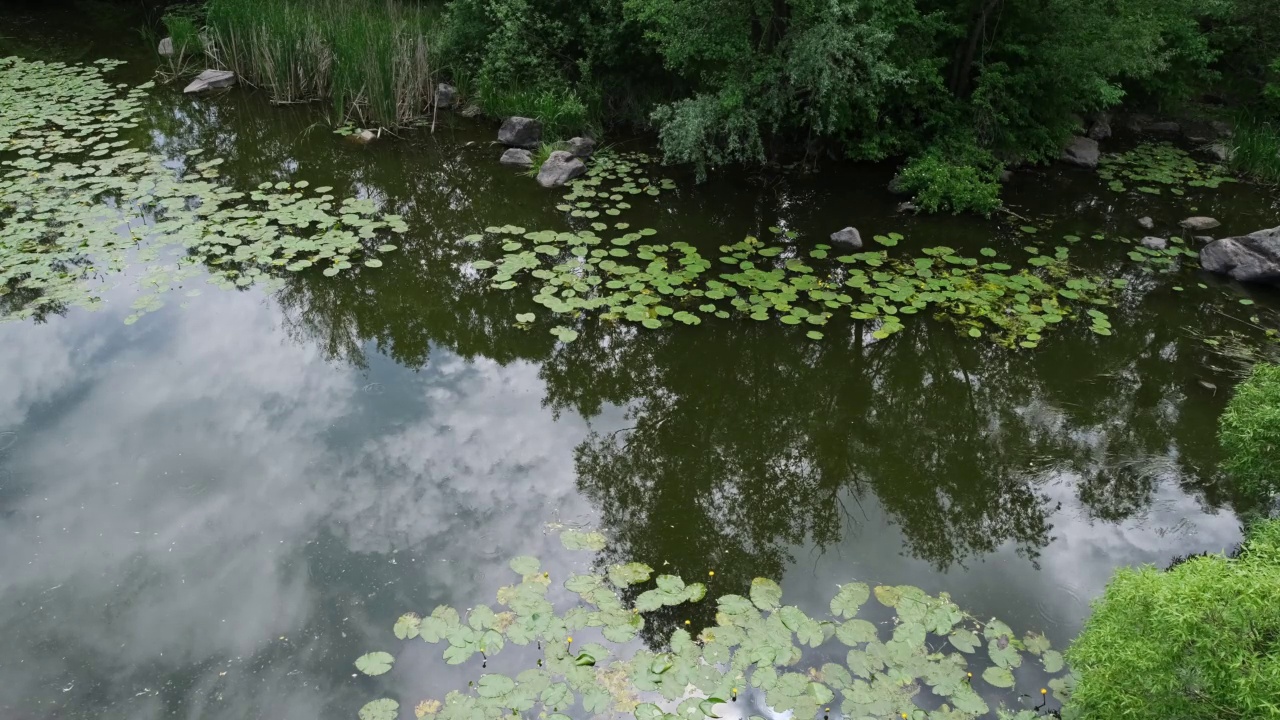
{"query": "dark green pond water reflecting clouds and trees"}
(212, 513)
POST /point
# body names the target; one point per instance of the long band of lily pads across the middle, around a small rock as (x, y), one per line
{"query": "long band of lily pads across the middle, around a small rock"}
(629, 277)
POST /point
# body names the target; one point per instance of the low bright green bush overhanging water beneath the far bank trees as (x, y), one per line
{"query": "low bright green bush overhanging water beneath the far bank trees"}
(959, 177)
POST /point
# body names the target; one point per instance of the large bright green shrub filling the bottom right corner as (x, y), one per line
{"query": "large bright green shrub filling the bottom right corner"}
(1200, 641)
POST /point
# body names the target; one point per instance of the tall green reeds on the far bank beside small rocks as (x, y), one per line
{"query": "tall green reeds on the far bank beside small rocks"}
(374, 61)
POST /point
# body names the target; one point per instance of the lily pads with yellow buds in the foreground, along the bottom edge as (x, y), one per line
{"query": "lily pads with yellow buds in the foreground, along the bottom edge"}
(908, 655)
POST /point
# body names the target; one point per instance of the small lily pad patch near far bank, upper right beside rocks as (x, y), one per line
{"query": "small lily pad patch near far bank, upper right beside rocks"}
(1153, 168)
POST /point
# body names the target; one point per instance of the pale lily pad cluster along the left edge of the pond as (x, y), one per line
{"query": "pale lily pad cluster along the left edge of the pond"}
(77, 200)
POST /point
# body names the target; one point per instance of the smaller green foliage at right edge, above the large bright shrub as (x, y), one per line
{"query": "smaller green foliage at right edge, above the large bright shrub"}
(1250, 432)
